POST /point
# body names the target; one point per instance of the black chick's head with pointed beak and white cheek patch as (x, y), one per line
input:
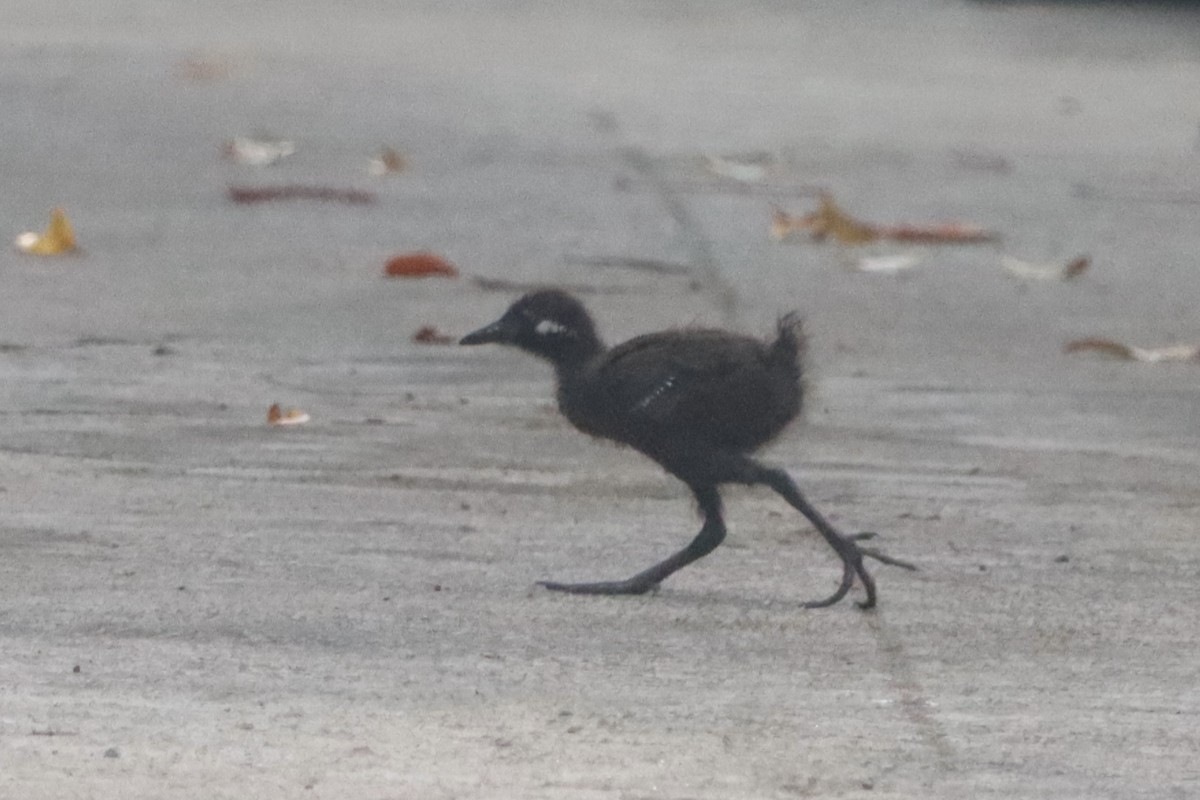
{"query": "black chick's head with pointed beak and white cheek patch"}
(548, 323)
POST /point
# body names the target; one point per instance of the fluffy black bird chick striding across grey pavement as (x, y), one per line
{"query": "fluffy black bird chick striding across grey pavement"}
(698, 402)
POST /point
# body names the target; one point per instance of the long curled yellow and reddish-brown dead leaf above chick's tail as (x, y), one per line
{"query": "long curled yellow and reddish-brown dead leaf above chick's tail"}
(830, 221)
